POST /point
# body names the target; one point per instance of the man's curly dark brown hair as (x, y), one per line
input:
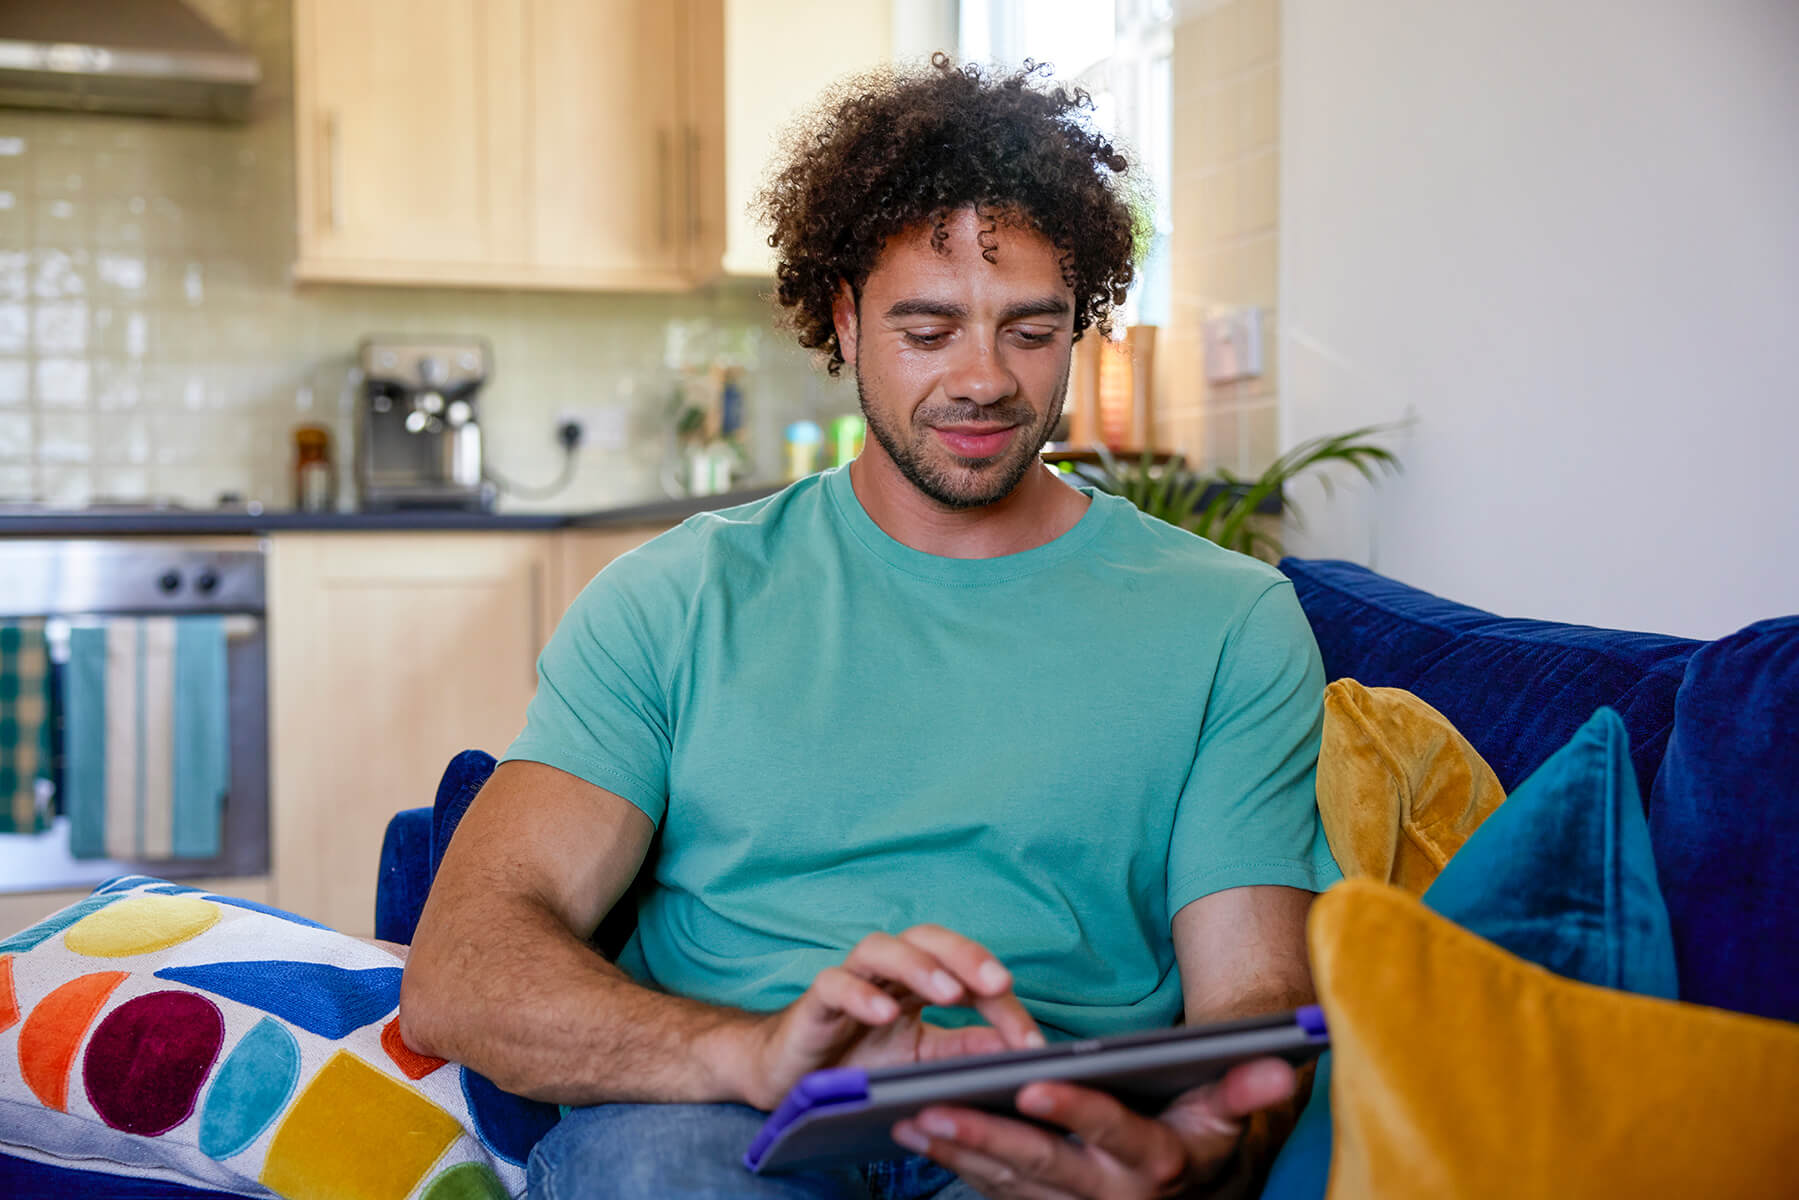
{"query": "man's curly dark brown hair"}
(897, 148)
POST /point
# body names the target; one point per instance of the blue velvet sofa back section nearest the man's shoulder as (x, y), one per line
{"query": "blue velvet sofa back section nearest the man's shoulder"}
(1517, 690)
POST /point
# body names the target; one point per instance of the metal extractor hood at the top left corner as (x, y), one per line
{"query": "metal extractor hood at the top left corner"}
(121, 57)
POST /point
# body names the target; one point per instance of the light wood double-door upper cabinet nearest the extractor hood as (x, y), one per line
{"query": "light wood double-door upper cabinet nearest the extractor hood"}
(510, 143)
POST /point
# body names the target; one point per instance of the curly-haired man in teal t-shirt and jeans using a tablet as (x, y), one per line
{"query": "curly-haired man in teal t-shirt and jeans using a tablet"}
(944, 753)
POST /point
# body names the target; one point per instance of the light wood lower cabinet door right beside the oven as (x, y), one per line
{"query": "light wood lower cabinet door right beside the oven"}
(388, 656)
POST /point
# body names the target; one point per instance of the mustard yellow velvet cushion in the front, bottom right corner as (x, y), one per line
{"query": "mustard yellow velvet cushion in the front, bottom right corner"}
(1463, 1071)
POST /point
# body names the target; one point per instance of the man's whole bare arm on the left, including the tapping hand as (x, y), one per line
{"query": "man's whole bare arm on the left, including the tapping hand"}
(503, 980)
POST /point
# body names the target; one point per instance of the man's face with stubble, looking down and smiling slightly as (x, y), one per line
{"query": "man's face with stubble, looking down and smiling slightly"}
(962, 364)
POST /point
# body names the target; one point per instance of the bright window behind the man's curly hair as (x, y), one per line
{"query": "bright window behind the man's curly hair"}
(1120, 51)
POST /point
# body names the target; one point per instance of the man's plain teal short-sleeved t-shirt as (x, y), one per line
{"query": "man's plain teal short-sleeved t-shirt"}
(1050, 753)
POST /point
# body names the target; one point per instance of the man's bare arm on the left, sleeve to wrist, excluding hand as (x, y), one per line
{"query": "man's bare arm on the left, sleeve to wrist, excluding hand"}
(503, 980)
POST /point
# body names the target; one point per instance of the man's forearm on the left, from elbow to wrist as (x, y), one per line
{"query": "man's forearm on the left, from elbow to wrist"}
(521, 999)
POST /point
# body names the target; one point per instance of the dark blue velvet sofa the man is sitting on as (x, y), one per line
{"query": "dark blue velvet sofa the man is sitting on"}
(1714, 731)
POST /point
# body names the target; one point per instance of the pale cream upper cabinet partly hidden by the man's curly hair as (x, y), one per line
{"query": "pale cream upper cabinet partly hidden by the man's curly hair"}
(780, 58)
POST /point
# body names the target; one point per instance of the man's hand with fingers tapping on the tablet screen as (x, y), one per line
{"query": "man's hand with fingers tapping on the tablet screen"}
(868, 1010)
